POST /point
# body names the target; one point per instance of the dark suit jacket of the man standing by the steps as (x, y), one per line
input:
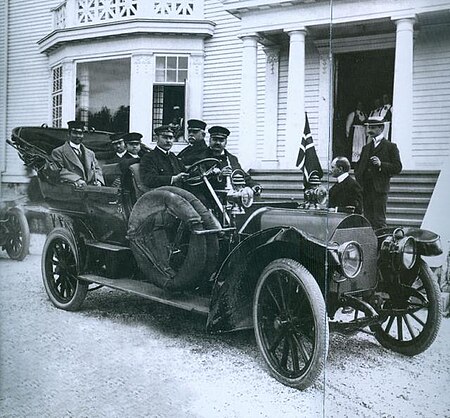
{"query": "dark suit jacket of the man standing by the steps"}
(366, 173)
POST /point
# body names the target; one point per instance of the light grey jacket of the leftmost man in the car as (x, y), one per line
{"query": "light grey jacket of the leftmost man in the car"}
(73, 168)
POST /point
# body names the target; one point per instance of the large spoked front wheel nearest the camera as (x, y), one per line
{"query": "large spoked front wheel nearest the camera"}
(290, 322)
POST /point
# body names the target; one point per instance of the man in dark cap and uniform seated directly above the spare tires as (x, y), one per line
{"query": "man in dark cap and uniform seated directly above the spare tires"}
(161, 167)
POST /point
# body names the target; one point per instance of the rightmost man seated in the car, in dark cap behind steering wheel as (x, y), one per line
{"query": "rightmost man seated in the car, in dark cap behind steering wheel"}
(218, 136)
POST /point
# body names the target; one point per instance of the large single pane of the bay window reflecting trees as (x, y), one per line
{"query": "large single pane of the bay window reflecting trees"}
(103, 94)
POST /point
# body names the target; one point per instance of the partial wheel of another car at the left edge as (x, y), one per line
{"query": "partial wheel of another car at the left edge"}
(18, 240)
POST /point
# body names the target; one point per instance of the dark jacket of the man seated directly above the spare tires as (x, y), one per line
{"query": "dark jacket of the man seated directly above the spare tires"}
(157, 168)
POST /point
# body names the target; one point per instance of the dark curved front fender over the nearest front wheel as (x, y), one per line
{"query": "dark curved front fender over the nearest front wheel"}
(235, 281)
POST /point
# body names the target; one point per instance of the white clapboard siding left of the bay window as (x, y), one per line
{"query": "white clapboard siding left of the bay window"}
(28, 83)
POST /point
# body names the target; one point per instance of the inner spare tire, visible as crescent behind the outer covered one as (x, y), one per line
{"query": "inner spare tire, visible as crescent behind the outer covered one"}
(209, 222)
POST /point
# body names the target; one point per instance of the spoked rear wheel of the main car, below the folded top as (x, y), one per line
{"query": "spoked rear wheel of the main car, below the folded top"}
(60, 269)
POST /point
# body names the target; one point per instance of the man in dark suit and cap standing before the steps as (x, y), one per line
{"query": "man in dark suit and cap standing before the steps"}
(379, 161)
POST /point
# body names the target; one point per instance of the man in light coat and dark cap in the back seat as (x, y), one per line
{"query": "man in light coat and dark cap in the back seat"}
(77, 163)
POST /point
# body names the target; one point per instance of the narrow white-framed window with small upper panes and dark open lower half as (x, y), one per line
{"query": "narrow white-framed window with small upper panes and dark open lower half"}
(169, 92)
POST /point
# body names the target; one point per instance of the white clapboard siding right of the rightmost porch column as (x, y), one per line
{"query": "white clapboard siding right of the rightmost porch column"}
(431, 97)
